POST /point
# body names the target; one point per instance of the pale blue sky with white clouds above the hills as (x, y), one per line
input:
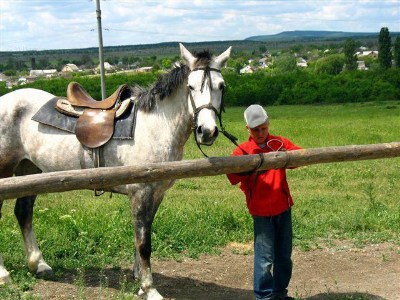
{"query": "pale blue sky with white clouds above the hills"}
(65, 24)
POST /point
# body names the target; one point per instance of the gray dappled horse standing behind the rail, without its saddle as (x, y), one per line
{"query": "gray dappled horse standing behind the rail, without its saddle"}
(189, 94)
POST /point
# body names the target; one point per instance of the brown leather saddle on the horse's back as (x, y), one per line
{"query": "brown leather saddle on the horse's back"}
(96, 119)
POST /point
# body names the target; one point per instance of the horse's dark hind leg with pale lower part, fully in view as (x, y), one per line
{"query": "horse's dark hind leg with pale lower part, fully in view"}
(24, 213)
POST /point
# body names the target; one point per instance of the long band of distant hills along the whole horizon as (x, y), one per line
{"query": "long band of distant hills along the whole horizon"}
(251, 44)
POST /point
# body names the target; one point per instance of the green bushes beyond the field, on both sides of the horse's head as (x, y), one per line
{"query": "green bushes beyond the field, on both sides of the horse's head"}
(296, 87)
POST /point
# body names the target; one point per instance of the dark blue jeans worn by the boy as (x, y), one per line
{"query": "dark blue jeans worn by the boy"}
(272, 255)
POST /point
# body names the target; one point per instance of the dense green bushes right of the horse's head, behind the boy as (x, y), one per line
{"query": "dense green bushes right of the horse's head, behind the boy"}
(301, 87)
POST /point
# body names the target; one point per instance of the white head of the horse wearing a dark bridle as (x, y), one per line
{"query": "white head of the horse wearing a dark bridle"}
(205, 89)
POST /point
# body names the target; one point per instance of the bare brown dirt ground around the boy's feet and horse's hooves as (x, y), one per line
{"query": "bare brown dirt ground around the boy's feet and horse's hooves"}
(342, 272)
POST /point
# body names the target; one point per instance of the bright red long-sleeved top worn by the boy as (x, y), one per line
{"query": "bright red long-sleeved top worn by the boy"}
(267, 193)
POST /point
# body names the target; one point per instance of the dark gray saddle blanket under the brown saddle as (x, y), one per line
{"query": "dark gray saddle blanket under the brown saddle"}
(124, 126)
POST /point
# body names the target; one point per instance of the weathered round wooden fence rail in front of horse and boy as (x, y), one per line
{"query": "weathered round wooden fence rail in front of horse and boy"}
(103, 178)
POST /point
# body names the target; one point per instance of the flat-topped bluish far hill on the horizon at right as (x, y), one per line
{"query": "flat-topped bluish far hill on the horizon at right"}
(307, 36)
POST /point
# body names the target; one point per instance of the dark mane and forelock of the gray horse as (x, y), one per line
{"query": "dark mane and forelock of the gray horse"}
(167, 83)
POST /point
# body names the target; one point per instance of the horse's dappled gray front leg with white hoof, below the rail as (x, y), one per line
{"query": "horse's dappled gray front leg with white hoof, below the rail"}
(144, 207)
